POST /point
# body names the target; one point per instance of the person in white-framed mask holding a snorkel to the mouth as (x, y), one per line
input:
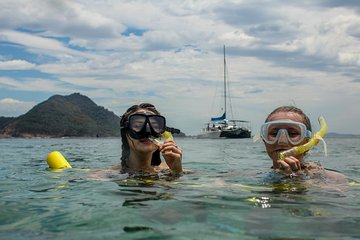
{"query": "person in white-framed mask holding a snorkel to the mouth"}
(286, 129)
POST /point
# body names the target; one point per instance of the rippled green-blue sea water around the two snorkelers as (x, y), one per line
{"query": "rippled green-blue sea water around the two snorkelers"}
(228, 192)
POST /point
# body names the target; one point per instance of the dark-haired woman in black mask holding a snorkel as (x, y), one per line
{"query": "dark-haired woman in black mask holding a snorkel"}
(140, 124)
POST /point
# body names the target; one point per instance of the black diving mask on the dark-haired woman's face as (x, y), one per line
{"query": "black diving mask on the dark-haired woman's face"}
(140, 125)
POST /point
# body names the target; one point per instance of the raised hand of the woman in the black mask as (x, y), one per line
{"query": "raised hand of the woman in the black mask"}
(172, 155)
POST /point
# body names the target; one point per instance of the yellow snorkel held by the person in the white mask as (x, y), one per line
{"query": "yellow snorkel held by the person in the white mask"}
(314, 140)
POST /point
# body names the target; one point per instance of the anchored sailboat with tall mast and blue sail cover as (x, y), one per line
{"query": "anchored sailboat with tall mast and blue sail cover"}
(221, 127)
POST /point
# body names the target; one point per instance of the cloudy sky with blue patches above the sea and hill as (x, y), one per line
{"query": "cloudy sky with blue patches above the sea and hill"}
(170, 53)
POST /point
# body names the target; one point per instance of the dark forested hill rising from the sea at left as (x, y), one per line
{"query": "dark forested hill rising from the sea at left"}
(74, 115)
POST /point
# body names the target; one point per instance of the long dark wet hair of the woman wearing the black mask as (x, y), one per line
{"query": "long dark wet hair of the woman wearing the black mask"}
(155, 161)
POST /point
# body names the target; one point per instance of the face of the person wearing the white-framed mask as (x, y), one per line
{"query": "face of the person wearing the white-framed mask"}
(279, 141)
